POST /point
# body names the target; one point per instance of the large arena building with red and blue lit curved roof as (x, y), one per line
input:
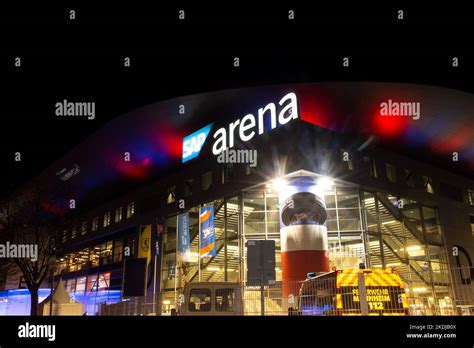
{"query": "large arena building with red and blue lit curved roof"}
(386, 168)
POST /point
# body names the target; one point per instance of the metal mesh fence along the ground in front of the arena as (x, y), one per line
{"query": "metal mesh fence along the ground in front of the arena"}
(326, 296)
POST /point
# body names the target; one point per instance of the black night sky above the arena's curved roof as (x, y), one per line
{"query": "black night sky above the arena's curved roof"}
(82, 59)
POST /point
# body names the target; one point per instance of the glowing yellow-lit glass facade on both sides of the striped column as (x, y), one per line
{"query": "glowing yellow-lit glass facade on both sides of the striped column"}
(373, 228)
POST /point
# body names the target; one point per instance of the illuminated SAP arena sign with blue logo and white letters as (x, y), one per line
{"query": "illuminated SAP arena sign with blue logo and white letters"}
(245, 128)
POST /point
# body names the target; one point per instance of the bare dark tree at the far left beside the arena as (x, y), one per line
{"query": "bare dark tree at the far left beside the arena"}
(29, 219)
